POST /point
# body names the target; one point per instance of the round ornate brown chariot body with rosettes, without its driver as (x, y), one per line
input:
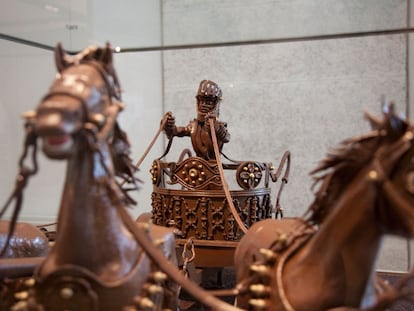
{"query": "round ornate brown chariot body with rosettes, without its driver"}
(200, 209)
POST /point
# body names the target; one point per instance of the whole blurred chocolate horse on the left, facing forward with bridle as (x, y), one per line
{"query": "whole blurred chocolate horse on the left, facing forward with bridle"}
(102, 259)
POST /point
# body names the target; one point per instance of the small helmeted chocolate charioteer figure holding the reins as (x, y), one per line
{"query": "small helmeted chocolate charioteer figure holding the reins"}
(208, 97)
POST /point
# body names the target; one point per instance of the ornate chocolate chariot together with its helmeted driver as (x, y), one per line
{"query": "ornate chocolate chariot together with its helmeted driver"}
(204, 208)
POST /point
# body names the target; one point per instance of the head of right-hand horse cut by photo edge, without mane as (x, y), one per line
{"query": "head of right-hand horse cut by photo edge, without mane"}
(393, 172)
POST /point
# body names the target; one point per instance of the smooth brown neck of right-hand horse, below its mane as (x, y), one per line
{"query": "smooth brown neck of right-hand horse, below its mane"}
(344, 249)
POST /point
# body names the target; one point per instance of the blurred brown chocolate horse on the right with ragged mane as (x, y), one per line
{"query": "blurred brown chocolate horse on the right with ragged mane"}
(326, 259)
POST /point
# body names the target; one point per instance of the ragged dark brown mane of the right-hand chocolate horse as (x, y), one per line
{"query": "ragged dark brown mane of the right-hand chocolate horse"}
(342, 163)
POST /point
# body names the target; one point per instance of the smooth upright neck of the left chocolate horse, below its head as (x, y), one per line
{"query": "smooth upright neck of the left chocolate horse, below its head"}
(90, 230)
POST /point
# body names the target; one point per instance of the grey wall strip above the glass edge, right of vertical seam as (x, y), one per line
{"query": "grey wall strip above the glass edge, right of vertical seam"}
(189, 22)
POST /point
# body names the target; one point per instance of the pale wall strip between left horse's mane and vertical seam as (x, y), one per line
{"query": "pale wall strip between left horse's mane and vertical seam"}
(141, 80)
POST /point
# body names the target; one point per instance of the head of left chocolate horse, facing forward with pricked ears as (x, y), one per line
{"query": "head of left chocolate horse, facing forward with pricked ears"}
(79, 100)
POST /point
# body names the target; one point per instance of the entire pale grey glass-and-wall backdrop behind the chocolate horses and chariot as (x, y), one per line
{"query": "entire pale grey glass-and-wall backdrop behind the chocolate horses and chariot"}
(296, 75)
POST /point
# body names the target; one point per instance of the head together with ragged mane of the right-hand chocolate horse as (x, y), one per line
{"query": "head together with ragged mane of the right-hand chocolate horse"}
(388, 153)
